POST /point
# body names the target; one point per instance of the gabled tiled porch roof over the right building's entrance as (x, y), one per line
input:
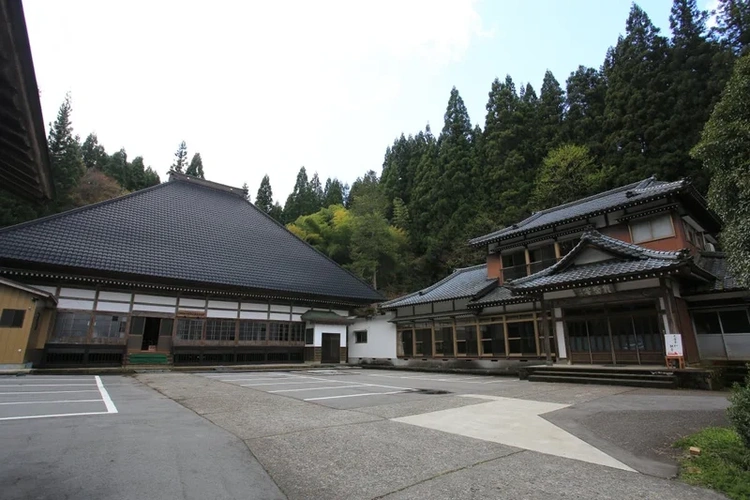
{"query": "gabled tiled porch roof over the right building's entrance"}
(638, 260)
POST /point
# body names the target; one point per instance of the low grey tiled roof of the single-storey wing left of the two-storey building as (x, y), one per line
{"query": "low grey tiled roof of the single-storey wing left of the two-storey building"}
(463, 283)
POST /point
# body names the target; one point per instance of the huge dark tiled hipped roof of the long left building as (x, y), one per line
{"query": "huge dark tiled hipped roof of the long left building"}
(186, 231)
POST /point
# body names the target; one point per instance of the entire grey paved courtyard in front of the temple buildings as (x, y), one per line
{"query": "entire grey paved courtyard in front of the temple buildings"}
(350, 434)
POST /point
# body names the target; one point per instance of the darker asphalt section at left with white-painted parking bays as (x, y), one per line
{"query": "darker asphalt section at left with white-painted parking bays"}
(67, 445)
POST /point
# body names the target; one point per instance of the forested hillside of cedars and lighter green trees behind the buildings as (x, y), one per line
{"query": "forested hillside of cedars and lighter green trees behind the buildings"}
(638, 114)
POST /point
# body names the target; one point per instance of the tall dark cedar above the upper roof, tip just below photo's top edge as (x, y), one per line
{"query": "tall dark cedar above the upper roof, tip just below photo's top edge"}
(637, 107)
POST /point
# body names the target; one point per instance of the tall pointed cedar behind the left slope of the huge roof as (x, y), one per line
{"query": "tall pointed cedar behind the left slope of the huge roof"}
(66, 162)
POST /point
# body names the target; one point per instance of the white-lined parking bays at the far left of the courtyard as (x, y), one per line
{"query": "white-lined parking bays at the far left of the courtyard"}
(34, 397)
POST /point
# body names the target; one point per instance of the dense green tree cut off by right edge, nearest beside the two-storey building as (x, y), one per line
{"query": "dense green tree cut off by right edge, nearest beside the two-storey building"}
(723, 149)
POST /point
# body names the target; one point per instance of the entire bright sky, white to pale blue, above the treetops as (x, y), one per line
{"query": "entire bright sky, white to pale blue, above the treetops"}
(266, 87)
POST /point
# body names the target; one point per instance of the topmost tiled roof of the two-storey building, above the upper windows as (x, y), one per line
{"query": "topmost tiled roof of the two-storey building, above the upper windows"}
(638, 192)
